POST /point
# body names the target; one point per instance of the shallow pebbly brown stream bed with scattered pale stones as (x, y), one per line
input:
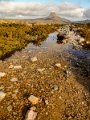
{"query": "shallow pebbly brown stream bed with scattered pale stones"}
(47, 82)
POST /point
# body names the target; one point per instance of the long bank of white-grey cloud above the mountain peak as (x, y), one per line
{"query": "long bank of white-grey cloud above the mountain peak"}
(10, 9)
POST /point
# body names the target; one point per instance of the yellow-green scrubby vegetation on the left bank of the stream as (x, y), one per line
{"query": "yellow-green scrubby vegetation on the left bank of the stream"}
(16, 36)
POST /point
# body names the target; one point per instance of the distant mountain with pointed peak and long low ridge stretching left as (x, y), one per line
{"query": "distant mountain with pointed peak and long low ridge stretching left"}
(52, 18)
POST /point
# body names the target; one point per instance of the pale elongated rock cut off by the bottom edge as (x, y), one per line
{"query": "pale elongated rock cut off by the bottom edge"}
(31, 115)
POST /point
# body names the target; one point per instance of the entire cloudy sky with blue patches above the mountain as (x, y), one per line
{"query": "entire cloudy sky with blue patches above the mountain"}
(31, 9)
